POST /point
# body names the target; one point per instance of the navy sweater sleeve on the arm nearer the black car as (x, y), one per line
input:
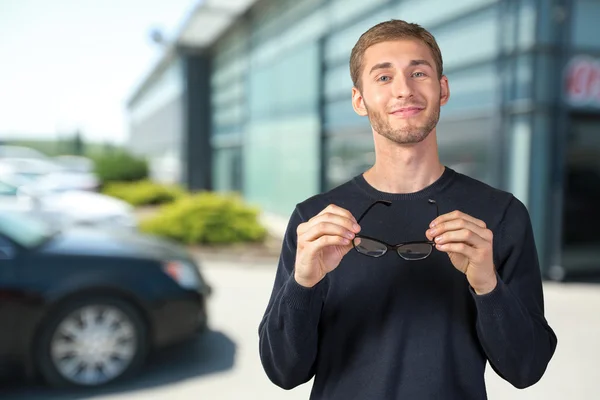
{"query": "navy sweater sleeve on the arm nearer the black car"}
(288, 332)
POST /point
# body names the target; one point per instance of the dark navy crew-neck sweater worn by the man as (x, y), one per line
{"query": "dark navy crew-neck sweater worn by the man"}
(386, 328)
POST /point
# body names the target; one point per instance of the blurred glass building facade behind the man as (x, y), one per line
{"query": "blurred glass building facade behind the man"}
(282, 127)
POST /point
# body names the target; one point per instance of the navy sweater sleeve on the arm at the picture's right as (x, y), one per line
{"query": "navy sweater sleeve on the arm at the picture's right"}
(511, 324)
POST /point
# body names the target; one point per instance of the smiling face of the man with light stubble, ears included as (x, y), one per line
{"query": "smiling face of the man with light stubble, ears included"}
(401, 93)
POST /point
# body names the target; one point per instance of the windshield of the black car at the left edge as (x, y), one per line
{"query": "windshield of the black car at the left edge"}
(25, 230)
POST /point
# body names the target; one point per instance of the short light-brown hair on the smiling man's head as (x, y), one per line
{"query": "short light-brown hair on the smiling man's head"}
(388, 31)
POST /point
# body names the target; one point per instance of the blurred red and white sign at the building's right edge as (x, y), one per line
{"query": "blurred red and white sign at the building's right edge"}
(582, 83)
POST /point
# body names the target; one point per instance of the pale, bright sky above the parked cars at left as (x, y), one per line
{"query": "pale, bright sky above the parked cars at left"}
(73, 64)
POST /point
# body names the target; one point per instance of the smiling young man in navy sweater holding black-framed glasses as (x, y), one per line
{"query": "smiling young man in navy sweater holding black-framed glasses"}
(371, 319)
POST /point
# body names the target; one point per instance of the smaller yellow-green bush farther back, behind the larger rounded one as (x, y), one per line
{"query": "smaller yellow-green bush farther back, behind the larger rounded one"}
(144, 192)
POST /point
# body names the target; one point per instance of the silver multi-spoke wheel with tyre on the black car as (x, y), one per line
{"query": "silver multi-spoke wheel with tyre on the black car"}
(92, 342)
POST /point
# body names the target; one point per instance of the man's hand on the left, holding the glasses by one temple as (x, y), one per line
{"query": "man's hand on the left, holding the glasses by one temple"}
(322, 243)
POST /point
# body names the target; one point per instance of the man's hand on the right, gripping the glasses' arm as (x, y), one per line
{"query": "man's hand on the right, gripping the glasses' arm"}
(468, 243)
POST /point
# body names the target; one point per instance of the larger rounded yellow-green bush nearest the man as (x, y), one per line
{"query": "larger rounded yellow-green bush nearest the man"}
(206, 218)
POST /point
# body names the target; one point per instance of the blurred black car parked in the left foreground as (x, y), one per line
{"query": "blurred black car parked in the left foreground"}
(83, 307)
